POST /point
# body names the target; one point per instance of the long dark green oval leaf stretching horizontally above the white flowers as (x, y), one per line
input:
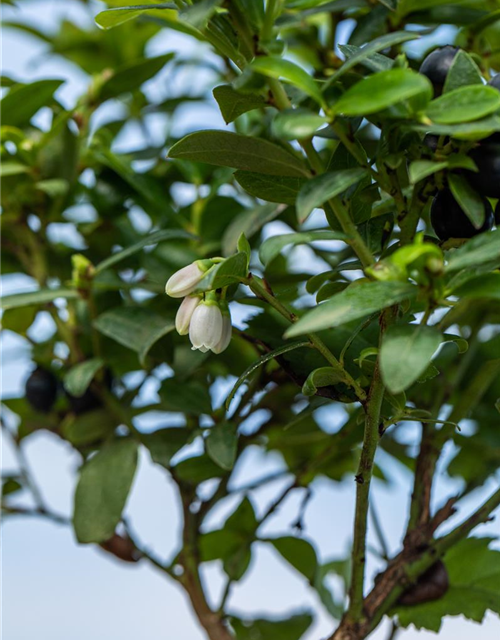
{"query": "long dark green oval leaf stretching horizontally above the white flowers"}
(227, 149)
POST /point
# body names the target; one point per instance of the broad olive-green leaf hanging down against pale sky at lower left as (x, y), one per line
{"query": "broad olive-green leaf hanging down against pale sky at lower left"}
(102, 491)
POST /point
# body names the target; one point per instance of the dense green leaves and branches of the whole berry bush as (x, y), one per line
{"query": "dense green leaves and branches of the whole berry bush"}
(345, 145)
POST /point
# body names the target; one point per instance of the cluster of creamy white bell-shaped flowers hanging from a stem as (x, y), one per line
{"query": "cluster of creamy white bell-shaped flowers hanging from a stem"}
(206, 318)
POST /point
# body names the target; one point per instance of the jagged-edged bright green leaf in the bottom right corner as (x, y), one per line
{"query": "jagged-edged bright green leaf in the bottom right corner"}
(474, 587)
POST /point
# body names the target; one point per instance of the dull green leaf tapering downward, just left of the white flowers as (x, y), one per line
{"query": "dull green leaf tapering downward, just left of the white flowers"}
(136, 328)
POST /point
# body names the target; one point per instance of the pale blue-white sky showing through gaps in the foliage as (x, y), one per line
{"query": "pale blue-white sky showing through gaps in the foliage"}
(53, 589)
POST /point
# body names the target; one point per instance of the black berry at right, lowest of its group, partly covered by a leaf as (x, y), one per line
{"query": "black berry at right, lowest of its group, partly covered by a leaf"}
(449, 221)
